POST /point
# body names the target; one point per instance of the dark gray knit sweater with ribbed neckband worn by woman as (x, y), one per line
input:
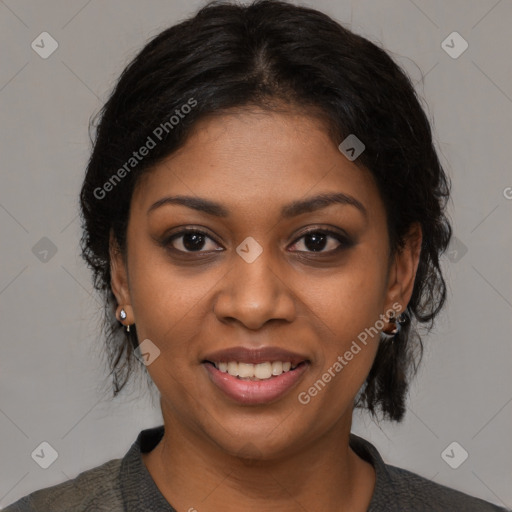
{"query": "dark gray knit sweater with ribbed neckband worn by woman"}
(125, 485)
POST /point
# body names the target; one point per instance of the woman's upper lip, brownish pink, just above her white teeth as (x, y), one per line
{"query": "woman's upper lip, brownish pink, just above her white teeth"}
(254, 355)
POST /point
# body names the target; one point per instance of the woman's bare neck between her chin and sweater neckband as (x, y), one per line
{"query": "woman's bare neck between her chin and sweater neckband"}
(194, 473)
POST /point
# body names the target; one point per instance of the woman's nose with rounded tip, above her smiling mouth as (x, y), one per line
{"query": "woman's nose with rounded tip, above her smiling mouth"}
(255, 293)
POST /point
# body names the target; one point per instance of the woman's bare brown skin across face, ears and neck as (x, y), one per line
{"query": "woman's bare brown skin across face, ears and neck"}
(283, 456)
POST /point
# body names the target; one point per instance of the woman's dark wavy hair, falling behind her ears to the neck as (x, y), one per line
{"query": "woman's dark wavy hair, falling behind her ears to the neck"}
(266, 54)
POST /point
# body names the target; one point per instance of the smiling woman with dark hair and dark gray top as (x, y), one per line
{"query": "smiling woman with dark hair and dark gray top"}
(264, 214)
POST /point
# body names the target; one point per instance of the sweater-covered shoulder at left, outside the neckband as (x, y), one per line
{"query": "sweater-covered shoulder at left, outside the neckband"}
(97, 489)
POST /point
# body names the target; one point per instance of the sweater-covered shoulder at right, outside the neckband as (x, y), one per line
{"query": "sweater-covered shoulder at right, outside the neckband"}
(419, 493)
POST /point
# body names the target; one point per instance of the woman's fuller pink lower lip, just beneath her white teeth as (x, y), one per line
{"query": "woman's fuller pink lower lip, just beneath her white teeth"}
(249, 392)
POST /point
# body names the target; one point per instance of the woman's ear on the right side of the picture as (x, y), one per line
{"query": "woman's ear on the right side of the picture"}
(403, 268)
